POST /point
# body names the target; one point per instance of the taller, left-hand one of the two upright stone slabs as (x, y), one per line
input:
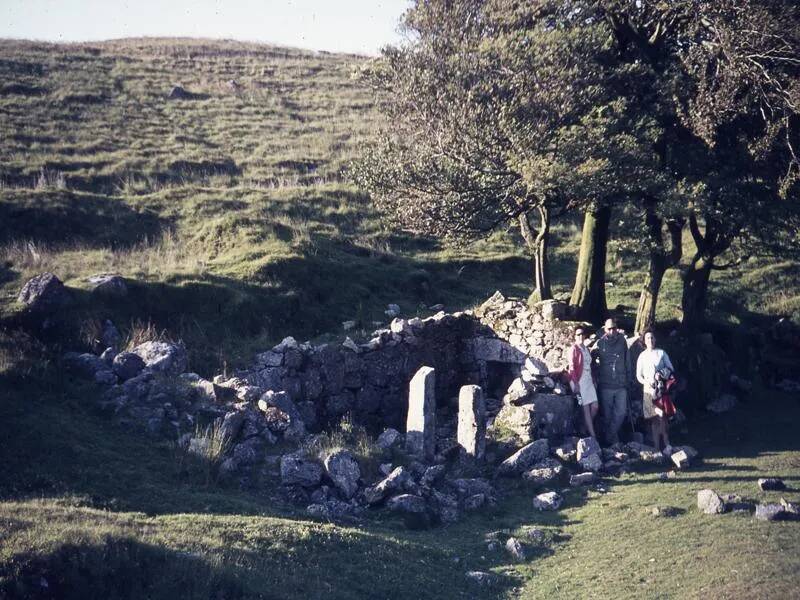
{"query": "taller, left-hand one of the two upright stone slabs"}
(421, 422)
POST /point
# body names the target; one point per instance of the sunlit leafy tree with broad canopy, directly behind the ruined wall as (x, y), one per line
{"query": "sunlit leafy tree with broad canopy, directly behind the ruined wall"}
(502, 112)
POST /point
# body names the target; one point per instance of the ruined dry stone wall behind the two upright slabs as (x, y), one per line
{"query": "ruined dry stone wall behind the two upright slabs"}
(488, 347)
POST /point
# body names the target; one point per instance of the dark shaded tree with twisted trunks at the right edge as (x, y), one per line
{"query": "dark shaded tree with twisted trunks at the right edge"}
(728, 86)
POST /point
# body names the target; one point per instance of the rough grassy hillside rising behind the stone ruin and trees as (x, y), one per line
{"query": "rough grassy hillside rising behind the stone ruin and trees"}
(230, 211)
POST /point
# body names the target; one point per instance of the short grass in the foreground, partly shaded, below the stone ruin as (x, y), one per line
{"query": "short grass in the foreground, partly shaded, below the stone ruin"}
(101, 512)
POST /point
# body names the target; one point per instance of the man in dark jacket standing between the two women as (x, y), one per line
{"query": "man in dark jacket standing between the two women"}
(612, 379)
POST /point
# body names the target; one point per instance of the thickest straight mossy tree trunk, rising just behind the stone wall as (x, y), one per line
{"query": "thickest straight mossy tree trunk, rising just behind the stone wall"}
(589, 294)
